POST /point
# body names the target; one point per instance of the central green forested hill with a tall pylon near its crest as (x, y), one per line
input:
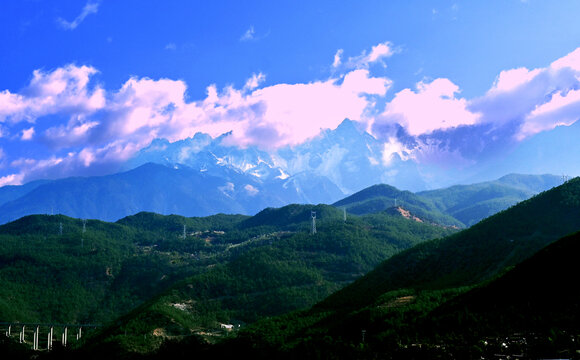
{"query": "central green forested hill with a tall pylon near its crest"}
(269, 274)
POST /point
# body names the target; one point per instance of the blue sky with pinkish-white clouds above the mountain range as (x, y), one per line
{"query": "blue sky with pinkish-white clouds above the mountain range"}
(84, 85)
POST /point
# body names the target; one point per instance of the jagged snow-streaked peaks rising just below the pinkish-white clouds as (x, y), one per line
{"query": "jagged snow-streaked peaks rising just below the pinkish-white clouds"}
(347, 157)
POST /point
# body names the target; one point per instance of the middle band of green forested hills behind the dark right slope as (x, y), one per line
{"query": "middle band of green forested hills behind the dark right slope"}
(228, 269)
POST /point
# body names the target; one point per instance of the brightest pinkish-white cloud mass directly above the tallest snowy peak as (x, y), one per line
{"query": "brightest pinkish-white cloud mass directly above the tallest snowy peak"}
(291, 113)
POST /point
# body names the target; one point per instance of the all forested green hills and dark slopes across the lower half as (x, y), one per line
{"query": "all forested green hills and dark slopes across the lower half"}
(290, 294)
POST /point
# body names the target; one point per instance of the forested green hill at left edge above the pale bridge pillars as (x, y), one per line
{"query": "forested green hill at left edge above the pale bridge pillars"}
(51, 270)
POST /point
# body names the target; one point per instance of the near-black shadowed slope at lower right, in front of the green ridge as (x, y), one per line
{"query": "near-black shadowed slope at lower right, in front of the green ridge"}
(535, 295)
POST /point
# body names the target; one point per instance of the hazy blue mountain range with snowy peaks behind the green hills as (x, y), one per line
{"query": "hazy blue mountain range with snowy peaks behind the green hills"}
(202, 175)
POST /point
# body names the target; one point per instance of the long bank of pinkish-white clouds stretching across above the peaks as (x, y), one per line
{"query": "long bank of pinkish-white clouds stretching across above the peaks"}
(78, 127)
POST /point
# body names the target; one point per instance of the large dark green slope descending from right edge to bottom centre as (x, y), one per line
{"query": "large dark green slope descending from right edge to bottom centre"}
(409, 298)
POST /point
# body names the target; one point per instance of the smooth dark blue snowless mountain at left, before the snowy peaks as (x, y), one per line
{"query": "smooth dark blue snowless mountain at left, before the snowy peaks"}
(148, 188)
